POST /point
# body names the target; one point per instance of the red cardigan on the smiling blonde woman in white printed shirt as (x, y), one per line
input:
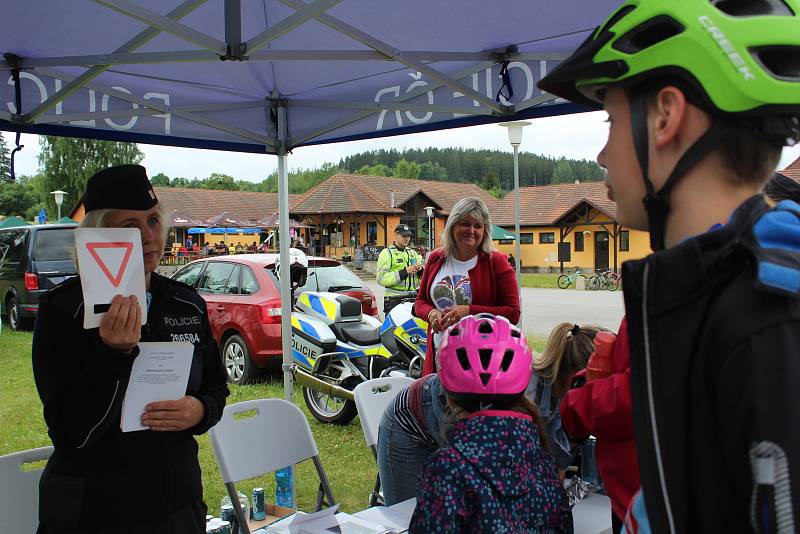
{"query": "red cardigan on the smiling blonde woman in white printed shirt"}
(494, 290)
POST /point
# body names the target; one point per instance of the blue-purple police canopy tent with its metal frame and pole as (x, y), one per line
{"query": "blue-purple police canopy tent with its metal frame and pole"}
(271, 75)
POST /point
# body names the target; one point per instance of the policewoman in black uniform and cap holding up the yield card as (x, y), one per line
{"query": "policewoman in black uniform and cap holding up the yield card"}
(99, 479)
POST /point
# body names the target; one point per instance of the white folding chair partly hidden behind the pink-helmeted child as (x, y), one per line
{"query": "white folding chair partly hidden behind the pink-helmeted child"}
(372, 397)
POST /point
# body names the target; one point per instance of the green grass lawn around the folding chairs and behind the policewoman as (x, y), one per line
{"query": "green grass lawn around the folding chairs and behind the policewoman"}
(347, 460)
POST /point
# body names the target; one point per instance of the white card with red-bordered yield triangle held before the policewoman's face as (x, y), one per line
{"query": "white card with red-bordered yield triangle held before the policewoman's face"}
(110, 262)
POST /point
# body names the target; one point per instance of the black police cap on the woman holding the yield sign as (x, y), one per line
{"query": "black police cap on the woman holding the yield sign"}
(124, 187)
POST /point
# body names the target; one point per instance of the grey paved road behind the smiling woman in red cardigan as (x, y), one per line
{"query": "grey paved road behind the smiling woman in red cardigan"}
(542, 309)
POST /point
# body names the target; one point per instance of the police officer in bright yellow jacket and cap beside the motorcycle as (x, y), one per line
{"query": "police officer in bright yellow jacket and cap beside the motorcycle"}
(399, 269)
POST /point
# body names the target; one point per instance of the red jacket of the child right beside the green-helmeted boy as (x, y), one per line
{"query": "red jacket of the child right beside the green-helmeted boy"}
(602, 408)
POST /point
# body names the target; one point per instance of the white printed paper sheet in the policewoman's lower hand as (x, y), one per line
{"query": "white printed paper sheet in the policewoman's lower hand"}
(160, 372)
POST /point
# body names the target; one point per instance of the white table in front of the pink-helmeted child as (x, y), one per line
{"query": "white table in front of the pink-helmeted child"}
(590, 516)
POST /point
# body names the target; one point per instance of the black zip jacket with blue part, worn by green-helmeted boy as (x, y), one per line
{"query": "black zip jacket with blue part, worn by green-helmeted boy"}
(715, 360)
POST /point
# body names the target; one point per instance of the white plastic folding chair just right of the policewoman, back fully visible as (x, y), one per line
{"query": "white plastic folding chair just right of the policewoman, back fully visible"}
(261, 436)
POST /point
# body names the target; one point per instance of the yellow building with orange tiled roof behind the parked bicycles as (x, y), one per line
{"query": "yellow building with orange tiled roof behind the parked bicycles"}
(566, 226)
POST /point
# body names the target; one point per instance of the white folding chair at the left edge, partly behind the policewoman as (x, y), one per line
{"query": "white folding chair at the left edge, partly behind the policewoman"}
(19, 489)
